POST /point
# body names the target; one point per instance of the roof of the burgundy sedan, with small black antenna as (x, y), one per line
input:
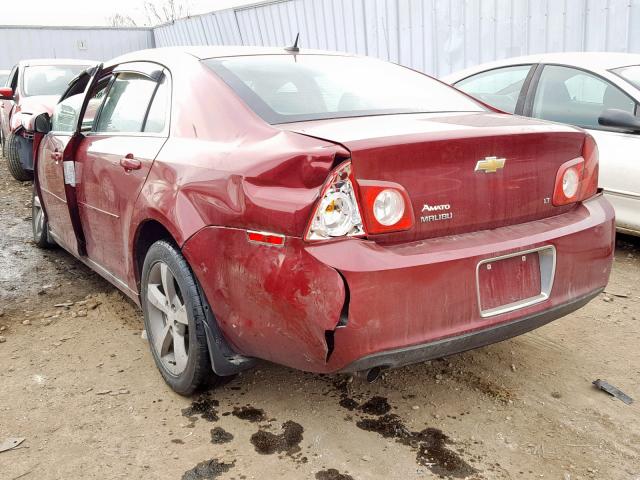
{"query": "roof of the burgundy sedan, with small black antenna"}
(169, 55)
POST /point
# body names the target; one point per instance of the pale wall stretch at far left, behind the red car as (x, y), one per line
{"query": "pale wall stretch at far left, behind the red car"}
(18, 43)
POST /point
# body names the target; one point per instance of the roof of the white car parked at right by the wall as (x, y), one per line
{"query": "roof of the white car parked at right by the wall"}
(594, 61)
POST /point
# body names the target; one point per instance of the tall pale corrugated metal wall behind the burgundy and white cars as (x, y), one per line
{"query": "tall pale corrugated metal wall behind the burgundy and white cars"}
(435, 36)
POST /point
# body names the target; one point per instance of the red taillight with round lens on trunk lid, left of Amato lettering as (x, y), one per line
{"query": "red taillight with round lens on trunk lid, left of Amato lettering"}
(386, 206)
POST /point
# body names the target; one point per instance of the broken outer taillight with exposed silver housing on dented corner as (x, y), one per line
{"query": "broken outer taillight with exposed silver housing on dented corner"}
(337, 213)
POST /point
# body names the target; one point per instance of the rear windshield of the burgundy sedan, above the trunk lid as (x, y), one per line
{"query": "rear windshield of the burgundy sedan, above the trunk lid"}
(294, 88)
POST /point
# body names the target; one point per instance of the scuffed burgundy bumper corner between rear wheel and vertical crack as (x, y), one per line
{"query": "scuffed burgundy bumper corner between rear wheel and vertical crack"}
(271, 302)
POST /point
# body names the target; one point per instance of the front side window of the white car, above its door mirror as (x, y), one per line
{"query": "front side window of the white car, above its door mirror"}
(573, 96)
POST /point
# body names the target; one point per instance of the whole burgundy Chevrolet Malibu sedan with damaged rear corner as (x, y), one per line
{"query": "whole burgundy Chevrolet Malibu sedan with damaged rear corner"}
(323, 211)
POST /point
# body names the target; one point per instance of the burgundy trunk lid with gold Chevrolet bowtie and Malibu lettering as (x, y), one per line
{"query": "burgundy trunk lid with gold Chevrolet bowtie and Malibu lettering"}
(435, 157)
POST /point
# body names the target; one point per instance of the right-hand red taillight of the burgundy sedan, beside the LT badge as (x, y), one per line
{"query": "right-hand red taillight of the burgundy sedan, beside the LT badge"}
(577, 179)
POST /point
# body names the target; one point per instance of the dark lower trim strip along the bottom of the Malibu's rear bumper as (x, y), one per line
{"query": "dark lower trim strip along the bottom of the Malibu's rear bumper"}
(451, 345)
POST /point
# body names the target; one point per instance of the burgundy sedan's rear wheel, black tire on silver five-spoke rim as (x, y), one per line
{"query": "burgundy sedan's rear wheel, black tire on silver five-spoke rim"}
(198, 372)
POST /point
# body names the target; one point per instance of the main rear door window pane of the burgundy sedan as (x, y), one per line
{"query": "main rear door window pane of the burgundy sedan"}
(125, 107)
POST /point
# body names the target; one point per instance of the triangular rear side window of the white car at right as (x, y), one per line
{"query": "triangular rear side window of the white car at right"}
(499, 88)
